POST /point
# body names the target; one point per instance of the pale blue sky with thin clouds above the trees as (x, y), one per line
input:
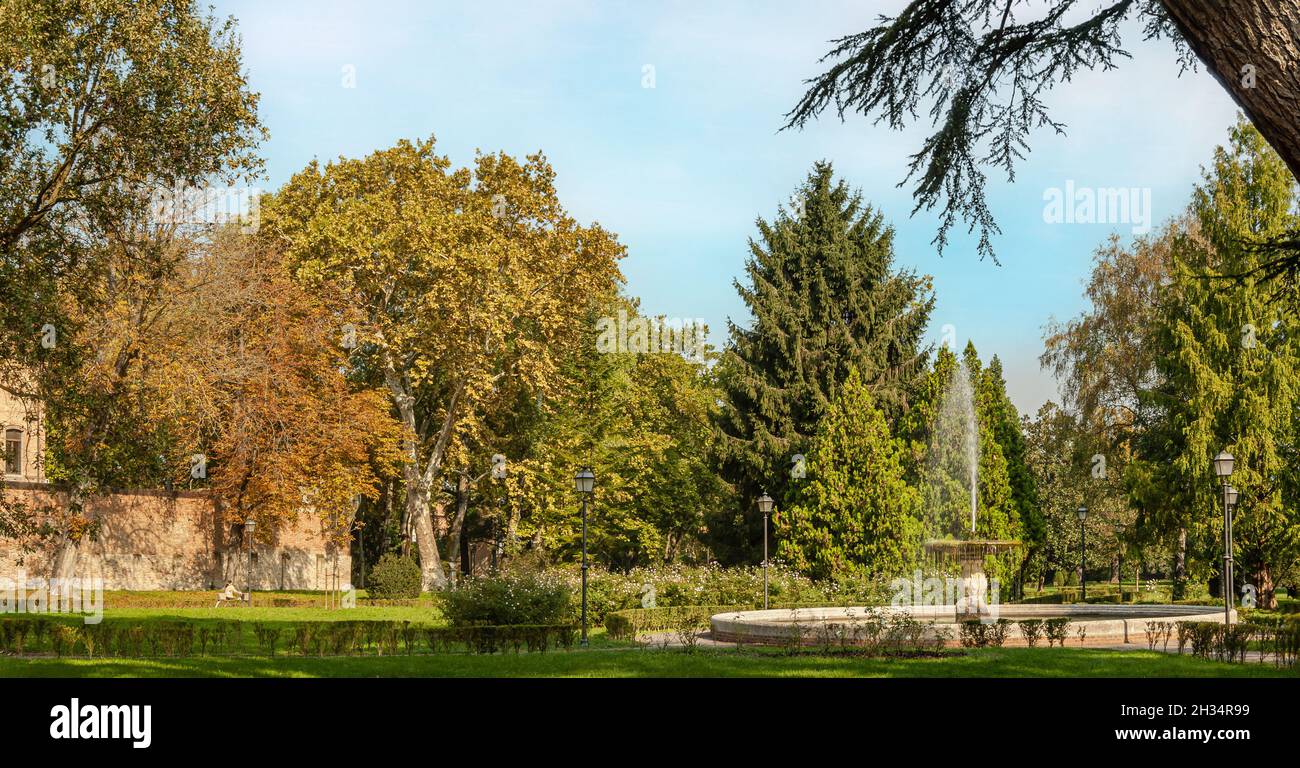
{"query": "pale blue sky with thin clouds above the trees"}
(681, 171)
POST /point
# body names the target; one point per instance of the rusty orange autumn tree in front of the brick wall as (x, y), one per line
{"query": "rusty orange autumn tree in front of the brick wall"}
(283, 427)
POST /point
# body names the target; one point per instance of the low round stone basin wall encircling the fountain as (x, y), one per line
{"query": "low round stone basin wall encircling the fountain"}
(1104, 626)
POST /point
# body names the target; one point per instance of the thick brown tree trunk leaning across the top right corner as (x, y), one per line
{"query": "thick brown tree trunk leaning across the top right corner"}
(1253, 47)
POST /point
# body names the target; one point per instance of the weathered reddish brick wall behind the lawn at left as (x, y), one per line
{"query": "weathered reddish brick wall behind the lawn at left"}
(179, 541)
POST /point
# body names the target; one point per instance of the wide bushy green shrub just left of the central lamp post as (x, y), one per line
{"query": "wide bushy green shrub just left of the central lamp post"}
(512, 598)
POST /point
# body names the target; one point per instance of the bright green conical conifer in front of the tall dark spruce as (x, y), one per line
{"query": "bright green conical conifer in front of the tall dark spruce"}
(856, 515)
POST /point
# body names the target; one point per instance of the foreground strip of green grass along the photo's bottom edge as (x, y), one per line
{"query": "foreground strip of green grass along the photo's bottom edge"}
(612, 662)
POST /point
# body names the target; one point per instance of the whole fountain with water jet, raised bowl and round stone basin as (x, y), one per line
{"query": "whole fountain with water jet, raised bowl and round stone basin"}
(954, 488)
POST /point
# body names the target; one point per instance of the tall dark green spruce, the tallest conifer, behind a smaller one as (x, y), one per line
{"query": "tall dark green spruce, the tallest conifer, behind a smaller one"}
(826, 300)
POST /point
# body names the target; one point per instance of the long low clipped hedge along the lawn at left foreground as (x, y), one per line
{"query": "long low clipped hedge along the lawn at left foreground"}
(133, 639)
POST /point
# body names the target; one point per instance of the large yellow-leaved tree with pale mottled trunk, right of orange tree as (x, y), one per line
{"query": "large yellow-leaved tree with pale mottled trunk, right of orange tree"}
(473, 285)
